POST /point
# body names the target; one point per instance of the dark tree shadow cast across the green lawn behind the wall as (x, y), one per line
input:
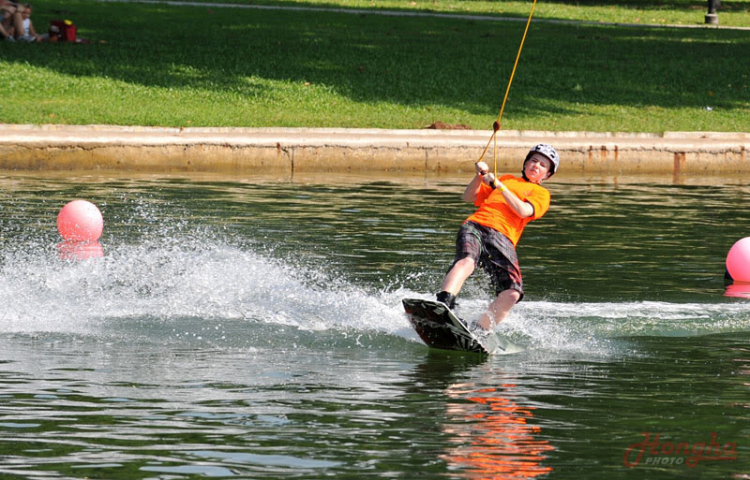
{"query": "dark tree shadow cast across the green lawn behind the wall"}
(458, 64)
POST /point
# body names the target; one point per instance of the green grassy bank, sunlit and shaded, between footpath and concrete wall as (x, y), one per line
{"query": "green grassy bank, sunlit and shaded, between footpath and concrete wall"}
(194, 66)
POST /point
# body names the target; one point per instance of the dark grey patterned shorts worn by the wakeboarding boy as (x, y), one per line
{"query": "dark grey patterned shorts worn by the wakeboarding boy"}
(494, 252)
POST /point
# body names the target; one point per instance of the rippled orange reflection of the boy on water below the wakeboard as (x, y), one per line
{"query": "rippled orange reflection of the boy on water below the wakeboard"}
(490, 429)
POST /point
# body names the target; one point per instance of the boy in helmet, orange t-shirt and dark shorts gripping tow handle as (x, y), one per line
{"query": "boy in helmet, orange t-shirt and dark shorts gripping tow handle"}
(489, 237)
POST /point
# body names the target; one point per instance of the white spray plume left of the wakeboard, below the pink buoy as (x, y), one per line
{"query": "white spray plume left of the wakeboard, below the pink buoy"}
(182, 279)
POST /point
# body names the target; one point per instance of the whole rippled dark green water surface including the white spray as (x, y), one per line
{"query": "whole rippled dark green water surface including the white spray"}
(253, 329)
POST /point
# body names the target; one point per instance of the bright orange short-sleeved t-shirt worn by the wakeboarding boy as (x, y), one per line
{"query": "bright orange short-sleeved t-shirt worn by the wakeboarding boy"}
(494, 211)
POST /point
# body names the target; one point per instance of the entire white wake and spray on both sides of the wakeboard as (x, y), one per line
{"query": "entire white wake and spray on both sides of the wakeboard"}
(209, 281)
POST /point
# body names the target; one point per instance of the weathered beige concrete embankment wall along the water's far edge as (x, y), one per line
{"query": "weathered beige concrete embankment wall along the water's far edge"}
(285, 150)
